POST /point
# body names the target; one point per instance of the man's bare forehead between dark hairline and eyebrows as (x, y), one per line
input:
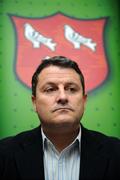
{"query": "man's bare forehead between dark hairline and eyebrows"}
(58, 74)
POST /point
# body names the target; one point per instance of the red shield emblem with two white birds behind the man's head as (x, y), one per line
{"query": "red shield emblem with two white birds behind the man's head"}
(80, 40)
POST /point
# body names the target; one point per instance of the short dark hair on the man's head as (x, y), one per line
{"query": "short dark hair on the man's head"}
(59, 61)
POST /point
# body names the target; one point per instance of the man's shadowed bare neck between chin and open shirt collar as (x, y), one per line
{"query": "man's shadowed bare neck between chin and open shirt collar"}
(61, 139)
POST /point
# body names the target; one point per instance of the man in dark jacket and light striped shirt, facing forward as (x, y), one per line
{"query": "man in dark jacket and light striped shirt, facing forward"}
(61, 148)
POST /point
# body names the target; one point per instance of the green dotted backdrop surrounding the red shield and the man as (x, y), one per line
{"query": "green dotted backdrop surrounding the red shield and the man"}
(16, 112)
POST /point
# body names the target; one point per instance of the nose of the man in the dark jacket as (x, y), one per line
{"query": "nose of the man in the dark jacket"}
(62, 97)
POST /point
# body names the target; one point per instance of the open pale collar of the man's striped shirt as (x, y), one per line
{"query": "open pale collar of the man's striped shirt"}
(46, 140)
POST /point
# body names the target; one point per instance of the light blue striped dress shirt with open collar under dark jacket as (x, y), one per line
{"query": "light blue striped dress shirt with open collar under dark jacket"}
(64, 165)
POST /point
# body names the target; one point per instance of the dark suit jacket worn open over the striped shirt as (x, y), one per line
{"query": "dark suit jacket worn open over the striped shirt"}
(21, 157)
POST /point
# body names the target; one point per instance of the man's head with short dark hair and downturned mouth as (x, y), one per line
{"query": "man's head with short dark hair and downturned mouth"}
(58, 94)
